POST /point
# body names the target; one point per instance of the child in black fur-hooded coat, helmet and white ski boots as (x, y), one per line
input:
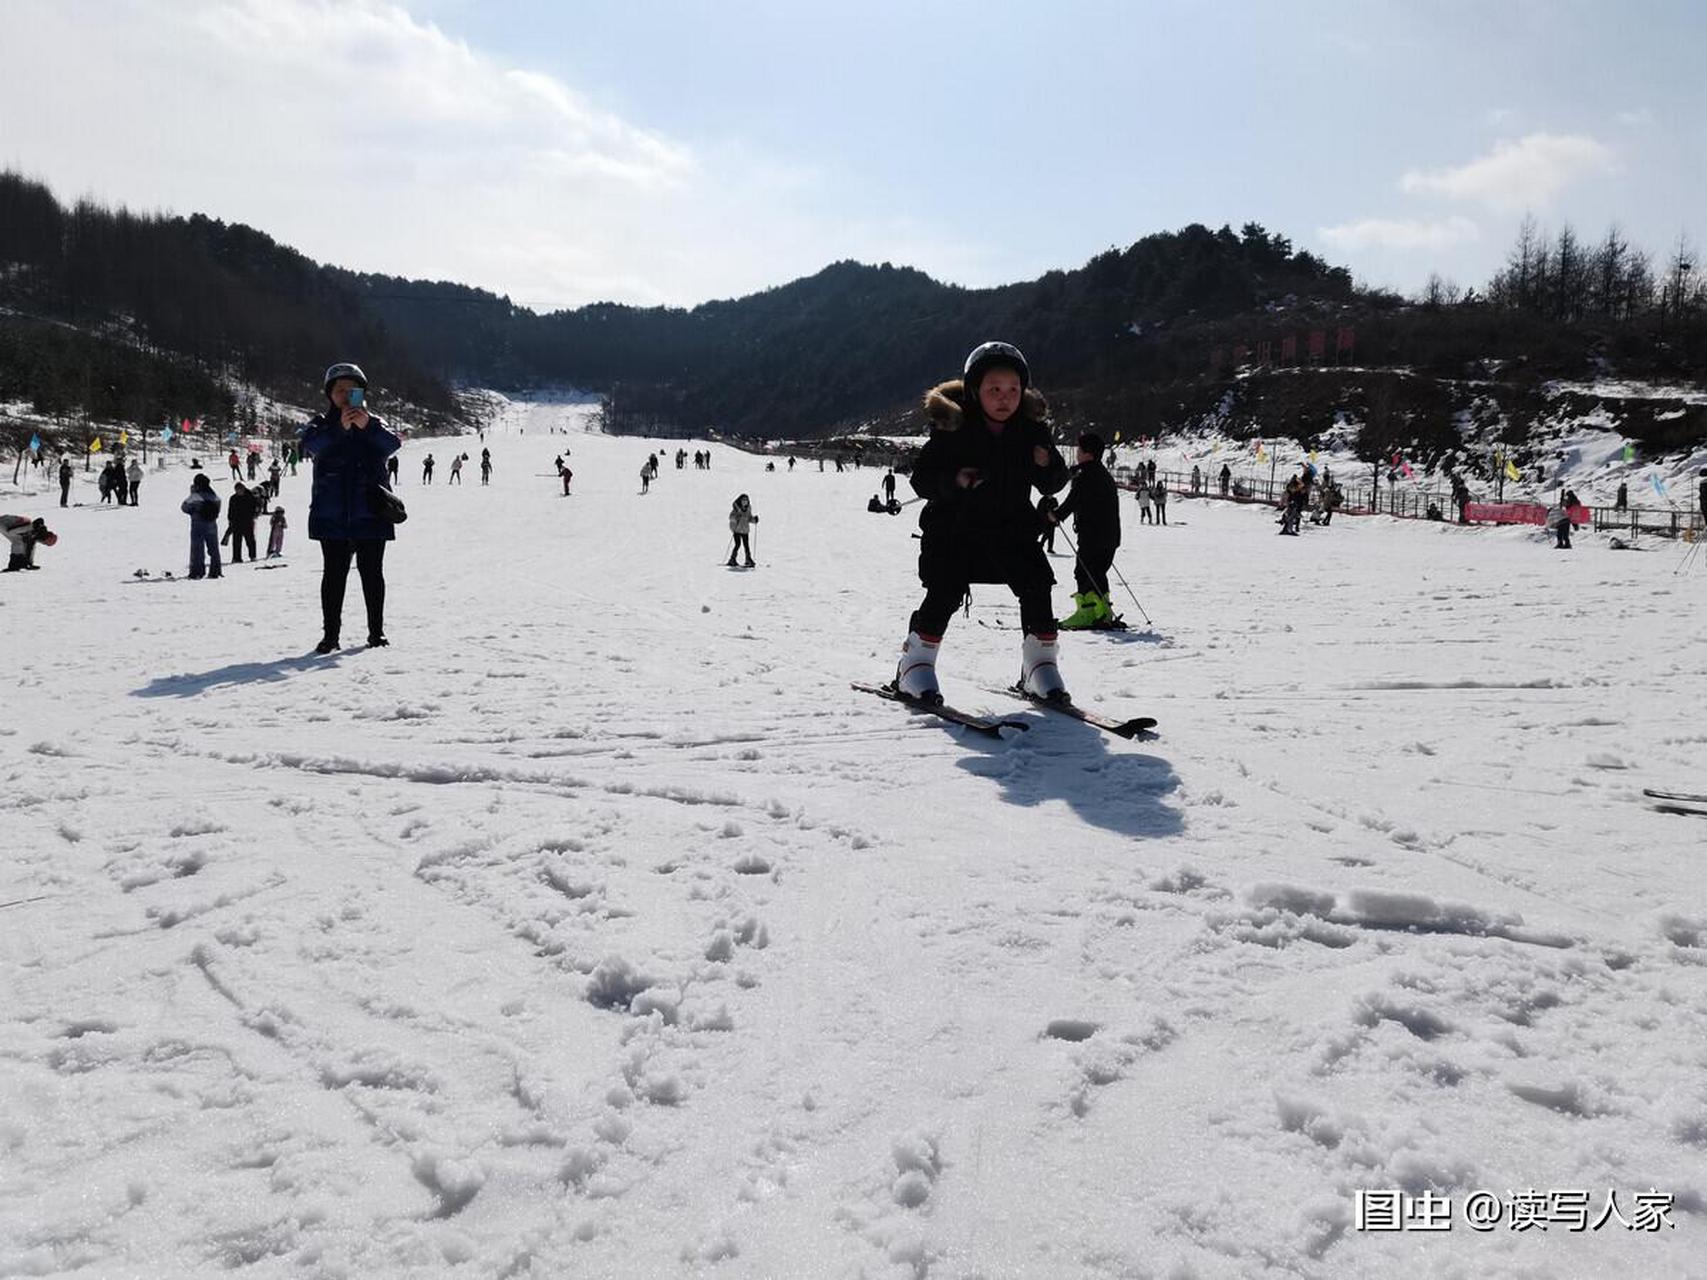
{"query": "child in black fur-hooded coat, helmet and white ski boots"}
(989, 448)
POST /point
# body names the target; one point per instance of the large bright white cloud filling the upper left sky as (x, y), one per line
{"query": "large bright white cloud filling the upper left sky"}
(371, 139)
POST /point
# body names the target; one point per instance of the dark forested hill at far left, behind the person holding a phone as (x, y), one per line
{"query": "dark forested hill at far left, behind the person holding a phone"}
(149, 318)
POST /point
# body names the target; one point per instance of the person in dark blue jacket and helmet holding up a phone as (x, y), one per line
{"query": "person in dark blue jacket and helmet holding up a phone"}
(349, 448)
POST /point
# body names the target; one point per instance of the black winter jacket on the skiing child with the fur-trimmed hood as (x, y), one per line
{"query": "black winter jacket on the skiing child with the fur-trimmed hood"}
(987, 533)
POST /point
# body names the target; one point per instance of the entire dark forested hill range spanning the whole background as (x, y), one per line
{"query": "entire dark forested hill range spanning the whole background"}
(148, 318)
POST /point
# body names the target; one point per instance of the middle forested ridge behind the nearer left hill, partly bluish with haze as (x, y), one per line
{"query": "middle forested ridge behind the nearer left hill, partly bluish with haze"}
(858, 342)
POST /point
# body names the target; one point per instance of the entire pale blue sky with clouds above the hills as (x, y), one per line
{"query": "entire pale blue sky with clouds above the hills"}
(675, 153)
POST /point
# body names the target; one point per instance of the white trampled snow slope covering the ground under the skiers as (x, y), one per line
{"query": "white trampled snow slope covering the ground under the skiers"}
(600, 929)
